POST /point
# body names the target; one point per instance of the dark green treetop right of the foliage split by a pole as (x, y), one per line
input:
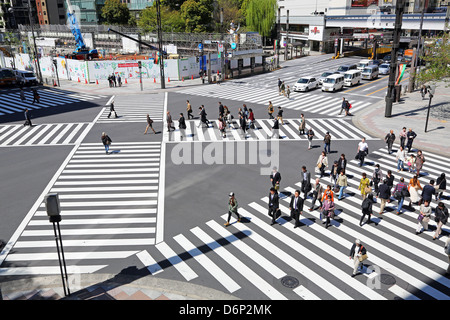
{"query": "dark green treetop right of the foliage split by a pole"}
(197, 15)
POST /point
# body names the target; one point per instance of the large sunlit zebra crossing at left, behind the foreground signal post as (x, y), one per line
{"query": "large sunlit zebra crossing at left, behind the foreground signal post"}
(108, 208)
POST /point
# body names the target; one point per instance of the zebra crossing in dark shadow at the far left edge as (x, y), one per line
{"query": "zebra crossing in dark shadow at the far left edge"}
(11, 103)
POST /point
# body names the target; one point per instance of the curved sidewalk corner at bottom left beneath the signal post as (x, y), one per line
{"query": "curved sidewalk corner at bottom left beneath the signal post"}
(107, 287)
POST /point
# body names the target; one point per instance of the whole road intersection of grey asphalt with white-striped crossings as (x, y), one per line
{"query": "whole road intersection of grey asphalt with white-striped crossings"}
(138, 211)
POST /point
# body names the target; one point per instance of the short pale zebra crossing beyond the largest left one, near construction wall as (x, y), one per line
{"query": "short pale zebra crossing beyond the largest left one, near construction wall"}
(135, 110)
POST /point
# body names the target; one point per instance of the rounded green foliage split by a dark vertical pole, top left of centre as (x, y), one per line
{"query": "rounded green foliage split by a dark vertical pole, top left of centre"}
(171, 20)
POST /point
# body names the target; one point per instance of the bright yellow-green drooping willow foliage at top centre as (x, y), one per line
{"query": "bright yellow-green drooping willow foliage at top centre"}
(261, 15)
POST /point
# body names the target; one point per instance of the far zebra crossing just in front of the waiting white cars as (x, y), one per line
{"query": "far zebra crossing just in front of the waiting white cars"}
(322, 104)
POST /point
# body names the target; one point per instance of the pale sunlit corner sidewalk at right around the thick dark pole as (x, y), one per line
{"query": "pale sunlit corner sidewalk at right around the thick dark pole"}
(411, 112)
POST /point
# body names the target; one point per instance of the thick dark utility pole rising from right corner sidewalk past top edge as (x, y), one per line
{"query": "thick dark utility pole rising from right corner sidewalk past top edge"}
(390, 95)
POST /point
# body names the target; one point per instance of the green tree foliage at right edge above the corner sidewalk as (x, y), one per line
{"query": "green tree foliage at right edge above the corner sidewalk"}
(437, 59)
